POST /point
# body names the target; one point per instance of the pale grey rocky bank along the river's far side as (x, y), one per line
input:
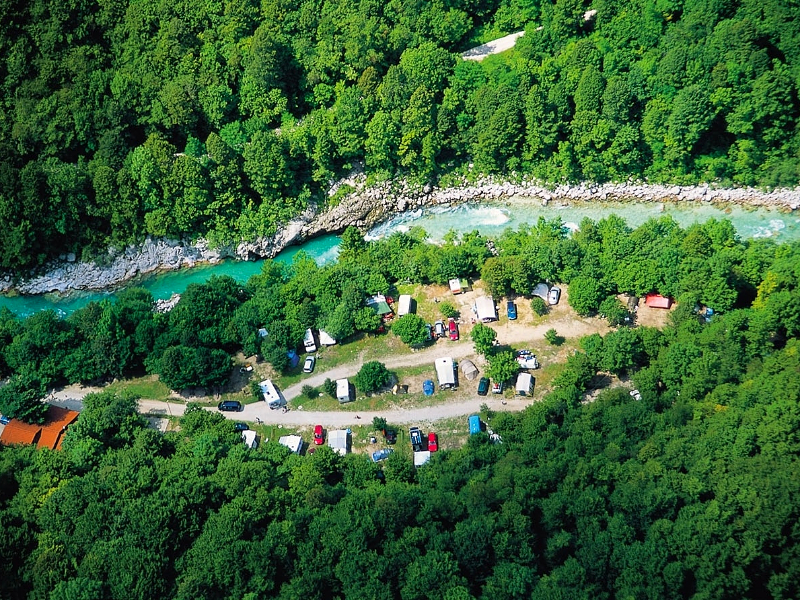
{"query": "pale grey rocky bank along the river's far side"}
(365, 207)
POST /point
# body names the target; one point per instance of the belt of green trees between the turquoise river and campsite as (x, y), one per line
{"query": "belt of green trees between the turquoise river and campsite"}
(705, 264)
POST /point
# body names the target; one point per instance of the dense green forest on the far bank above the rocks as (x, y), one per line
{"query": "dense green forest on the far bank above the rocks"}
(126, 118)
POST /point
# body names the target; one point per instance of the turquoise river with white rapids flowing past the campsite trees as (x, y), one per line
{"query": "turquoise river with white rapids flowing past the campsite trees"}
(488, 218)
